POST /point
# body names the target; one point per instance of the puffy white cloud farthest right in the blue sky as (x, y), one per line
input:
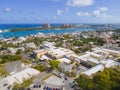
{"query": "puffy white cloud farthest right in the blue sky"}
(101, 13)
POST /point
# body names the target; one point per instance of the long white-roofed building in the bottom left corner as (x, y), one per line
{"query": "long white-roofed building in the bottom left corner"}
(18, 77)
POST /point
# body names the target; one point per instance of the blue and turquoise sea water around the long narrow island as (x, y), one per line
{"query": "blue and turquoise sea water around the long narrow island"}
(8, 34)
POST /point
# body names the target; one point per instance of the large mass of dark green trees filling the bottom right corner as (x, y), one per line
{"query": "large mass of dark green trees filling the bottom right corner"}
(109, 79)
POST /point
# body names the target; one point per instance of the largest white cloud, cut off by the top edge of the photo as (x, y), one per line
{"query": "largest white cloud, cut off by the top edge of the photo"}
(79, 3)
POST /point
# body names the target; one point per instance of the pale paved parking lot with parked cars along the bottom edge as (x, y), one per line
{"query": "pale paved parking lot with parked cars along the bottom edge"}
(52, 83)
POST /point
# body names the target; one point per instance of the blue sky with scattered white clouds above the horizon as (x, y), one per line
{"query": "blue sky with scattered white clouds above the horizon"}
(59, 11)
